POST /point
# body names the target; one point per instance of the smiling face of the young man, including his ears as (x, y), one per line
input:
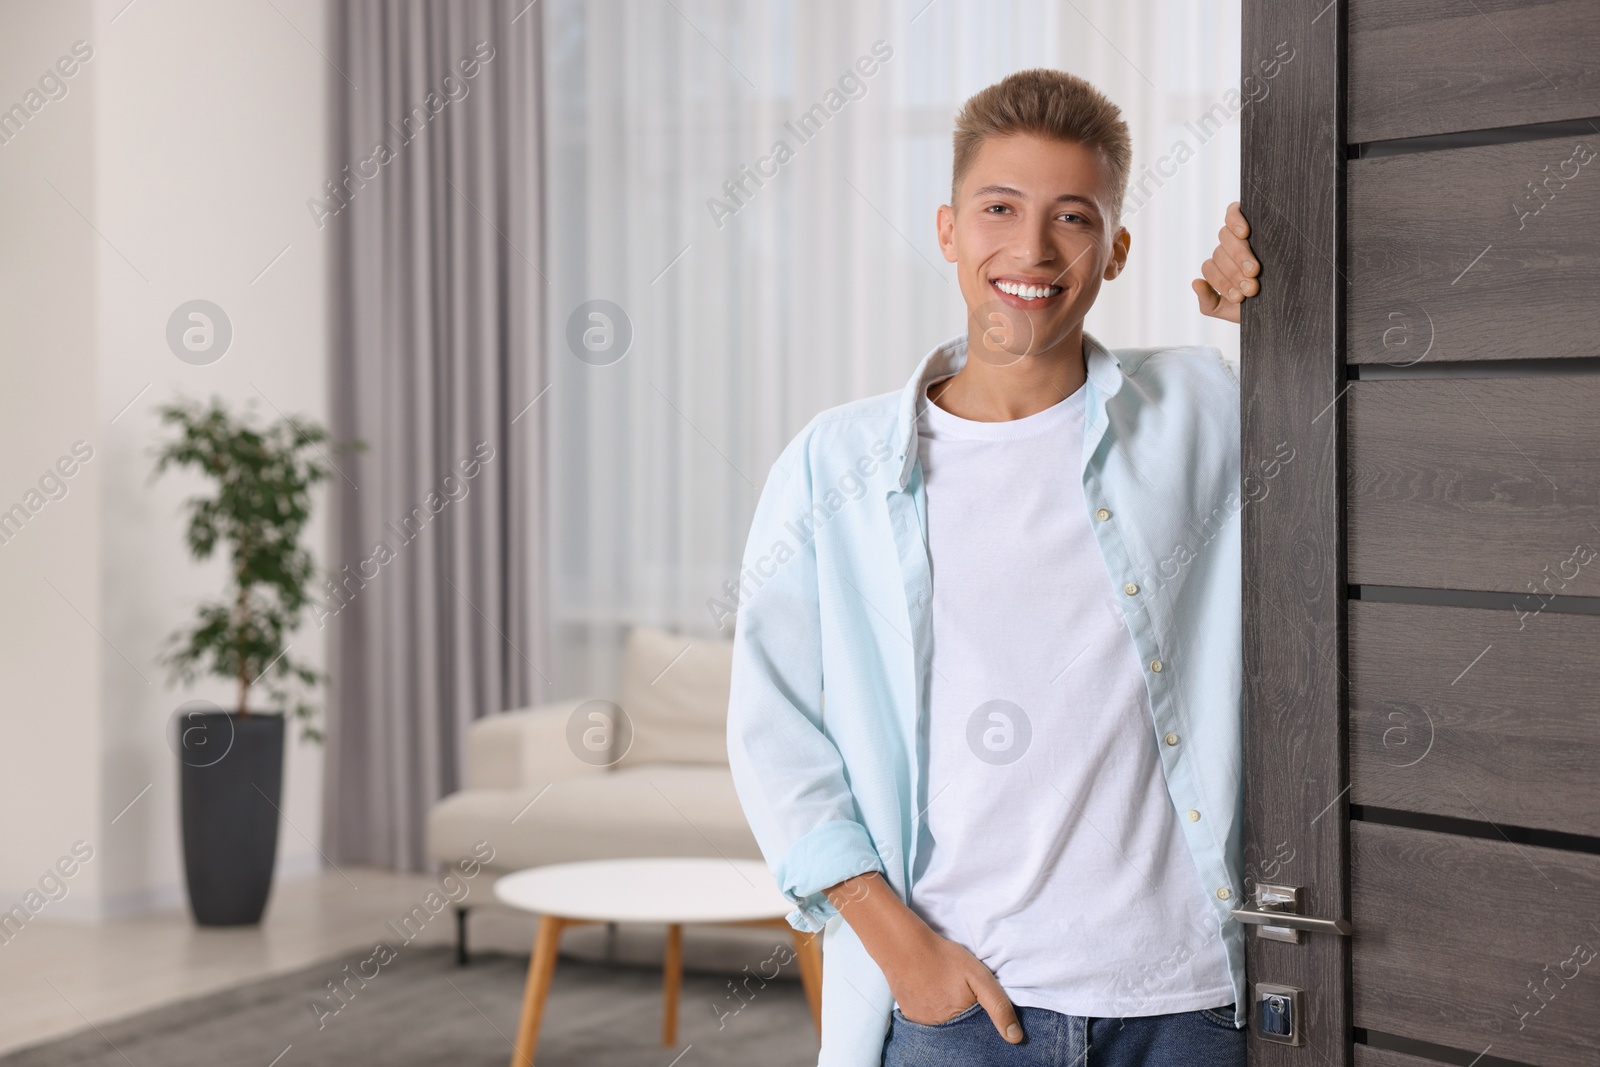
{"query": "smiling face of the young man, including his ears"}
(1033, 239)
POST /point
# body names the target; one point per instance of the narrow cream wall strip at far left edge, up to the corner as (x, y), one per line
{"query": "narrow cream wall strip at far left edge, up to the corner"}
(50, 657)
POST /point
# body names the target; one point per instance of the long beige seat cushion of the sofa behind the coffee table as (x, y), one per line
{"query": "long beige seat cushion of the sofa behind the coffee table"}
(655, 810)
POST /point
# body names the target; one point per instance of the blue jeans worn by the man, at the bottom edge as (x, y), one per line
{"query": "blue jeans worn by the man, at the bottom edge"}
(1186, 1039)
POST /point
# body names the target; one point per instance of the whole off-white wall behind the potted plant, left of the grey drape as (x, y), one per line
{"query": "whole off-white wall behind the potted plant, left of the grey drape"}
(191, 143)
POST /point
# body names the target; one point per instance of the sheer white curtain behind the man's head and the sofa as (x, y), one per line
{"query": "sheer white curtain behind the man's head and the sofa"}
(820, 284)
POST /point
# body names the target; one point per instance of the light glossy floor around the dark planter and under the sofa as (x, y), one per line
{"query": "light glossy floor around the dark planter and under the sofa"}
(63, 977)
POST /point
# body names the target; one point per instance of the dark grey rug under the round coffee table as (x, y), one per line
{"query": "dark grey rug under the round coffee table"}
(423, 1010)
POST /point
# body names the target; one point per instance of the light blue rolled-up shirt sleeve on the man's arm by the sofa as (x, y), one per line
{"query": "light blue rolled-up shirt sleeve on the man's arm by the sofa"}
(788, 772)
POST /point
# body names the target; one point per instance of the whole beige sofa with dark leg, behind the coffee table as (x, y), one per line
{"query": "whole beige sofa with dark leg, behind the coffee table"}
(550, 785)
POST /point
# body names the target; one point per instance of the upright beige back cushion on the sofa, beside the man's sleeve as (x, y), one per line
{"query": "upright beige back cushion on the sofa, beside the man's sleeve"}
(676, 695)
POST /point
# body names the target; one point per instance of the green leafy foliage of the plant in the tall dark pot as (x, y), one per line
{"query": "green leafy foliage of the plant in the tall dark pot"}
(258, 513)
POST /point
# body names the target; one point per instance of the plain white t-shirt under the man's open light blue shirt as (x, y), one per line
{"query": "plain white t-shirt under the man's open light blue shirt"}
(1054, 850)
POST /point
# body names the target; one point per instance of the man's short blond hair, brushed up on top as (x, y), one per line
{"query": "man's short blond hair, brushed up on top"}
(1050, 105)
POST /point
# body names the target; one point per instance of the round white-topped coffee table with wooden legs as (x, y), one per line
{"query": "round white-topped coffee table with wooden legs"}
(673, 892)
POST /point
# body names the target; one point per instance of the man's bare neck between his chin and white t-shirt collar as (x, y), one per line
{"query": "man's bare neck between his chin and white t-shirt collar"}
(1001, 388)
